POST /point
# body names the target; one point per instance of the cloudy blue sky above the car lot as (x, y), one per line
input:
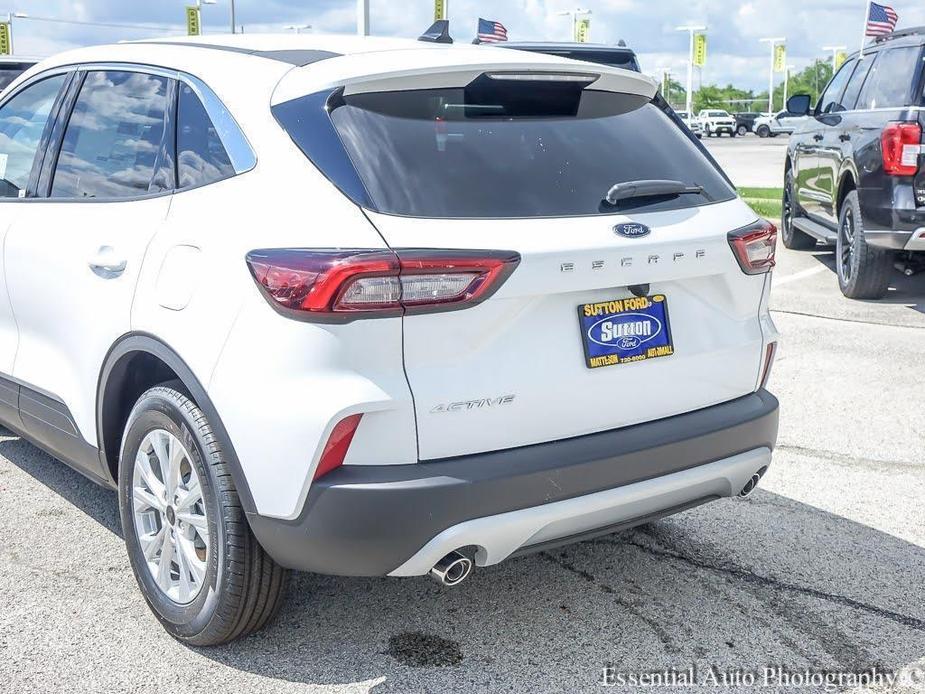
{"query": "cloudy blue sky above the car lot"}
(736, 55)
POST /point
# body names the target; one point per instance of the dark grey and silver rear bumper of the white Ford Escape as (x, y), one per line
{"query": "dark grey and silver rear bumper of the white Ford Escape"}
(399, 520)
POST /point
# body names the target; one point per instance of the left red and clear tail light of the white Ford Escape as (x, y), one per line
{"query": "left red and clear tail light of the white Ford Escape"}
(343, 285)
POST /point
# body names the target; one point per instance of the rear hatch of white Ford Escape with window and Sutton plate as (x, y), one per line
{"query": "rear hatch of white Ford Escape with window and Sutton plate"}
(522, 162)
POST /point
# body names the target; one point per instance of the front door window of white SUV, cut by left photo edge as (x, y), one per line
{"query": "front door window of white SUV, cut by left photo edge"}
(22, 121)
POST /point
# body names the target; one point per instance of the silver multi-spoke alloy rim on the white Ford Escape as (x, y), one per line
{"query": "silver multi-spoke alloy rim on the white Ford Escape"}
(171, 523)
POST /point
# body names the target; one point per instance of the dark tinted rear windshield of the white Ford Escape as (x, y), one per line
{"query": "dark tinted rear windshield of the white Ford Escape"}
(524, 150)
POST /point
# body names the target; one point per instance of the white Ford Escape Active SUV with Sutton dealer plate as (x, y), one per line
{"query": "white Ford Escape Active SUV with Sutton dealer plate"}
(371, 307)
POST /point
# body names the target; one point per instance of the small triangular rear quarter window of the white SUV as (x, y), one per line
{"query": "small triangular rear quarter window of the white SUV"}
(201, 157)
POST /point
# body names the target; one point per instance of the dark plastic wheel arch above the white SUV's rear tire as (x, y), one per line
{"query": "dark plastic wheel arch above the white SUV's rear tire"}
(135, 363)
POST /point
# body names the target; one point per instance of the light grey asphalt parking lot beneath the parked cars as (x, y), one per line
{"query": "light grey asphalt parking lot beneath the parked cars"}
(821, 568)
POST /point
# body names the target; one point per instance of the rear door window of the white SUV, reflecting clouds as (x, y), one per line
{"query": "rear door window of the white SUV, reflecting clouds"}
(114, 136)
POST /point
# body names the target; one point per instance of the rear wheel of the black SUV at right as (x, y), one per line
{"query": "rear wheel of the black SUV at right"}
(863, 270)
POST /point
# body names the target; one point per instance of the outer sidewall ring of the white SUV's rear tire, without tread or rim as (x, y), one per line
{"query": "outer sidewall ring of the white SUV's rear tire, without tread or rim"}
(160, 410)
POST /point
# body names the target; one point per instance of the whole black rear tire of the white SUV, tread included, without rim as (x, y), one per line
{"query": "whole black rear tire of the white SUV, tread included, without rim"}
(243, 587)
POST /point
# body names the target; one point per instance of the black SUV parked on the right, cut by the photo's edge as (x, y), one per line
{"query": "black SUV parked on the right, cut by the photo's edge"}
(853, 176)
